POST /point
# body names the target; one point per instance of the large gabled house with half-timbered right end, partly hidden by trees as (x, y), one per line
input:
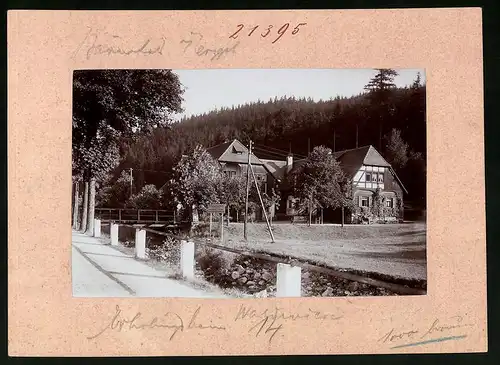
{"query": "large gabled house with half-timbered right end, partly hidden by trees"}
(375, 184)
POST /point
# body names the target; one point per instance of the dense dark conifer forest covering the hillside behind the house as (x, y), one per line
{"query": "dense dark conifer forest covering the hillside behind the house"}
(285, 124)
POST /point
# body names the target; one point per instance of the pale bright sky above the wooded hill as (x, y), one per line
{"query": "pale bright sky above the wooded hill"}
(216, 88)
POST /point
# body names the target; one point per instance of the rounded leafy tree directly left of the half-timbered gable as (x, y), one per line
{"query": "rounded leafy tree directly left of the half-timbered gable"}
(320, 182)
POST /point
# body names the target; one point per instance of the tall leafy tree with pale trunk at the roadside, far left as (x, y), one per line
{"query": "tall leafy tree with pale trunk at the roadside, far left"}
(109, 105)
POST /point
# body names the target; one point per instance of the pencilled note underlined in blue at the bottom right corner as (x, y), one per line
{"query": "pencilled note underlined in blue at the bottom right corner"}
(420, 336)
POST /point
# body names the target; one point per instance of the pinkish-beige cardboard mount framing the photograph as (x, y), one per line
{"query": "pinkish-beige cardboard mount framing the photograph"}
(45, 47)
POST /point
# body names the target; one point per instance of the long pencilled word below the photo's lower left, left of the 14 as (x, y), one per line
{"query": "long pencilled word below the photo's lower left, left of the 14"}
(168, 321)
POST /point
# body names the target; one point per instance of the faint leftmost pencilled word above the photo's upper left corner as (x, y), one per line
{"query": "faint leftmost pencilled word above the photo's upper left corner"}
(101, 43)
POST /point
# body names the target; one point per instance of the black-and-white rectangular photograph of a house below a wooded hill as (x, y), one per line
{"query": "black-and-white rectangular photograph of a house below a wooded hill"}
(249, 183)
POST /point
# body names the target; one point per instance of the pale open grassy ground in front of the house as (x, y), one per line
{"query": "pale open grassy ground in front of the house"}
(396, 250)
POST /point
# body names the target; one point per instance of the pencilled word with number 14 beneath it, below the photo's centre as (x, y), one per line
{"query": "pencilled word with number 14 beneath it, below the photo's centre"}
(271, 322)
